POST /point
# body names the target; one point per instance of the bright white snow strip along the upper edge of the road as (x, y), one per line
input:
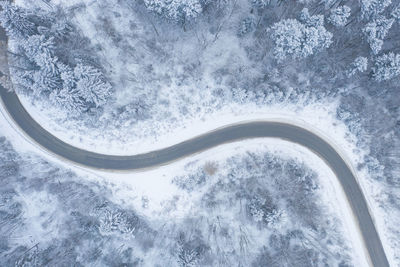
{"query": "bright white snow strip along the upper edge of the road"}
(319, 116)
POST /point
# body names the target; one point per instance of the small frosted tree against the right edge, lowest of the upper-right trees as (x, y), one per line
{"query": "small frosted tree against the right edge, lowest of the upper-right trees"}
(386, 67)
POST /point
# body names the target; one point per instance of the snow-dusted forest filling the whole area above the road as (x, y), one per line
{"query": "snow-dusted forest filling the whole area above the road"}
(125, 70)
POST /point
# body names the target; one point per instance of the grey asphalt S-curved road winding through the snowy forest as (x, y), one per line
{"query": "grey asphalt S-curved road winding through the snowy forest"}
(209, 140)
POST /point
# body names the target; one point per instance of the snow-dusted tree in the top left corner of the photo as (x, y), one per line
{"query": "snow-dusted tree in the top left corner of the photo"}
(15, 21)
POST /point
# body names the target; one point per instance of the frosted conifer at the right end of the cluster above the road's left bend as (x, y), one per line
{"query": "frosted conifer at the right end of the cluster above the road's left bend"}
(92, 84)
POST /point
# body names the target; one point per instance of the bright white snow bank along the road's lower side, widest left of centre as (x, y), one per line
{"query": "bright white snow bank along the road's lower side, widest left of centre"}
(156, 185)
